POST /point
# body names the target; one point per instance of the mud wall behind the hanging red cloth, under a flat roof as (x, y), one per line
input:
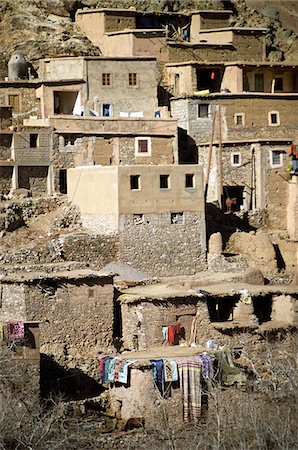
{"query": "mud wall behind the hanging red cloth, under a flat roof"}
(145, 320)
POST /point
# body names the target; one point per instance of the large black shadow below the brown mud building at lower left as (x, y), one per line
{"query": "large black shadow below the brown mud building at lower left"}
(71, 384)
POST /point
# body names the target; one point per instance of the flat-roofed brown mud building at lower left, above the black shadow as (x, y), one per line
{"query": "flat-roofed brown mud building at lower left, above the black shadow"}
(74, 308)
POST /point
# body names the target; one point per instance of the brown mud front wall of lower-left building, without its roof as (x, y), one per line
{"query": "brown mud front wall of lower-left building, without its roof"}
(76, 316)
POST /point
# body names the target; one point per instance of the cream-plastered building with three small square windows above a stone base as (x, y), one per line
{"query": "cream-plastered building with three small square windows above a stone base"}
(156, 210)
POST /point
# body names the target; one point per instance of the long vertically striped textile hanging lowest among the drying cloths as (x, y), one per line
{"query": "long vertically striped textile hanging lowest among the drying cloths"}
(190, 384)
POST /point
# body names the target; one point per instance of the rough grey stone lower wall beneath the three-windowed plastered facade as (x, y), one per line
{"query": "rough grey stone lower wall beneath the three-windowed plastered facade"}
(162, 248)
